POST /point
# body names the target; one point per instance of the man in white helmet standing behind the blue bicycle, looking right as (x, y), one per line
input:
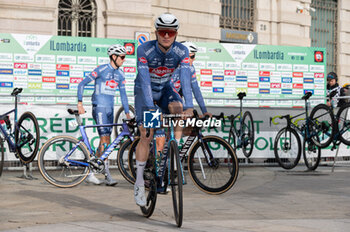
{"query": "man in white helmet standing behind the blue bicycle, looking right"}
(107, 78)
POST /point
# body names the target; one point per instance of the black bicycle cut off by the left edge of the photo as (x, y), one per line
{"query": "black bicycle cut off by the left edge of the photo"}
(23, 137)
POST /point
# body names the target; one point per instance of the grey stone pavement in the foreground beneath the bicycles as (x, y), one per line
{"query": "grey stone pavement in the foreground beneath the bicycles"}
(263, 199)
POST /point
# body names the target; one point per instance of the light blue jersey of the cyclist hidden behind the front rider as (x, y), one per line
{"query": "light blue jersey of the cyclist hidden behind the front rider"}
(194, 86)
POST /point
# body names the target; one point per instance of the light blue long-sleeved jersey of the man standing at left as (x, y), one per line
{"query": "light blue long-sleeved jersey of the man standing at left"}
(107, 79)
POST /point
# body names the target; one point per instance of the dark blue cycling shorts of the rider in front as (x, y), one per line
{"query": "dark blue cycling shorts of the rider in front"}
(163, 98)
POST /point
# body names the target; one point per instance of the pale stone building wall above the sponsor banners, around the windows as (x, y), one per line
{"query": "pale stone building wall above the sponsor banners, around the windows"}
(276, 22)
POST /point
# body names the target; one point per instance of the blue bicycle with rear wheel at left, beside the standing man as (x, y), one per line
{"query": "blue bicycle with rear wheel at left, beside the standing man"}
(65, 161)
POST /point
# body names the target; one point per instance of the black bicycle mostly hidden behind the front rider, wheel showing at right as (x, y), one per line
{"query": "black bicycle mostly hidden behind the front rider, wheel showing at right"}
(211, 161)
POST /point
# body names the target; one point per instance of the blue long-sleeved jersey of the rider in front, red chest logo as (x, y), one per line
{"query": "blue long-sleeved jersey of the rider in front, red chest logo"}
(155, 69)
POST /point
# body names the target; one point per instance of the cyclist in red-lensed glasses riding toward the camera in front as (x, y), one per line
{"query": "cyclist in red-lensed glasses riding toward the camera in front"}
(156, 62)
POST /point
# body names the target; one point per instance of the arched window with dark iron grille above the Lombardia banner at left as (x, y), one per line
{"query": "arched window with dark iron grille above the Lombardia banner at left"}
(77, 18)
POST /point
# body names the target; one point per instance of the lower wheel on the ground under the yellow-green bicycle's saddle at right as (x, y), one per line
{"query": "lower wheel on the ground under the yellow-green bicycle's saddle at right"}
(312, 154)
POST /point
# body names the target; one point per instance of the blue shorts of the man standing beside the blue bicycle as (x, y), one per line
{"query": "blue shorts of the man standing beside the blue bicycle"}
(103, 115)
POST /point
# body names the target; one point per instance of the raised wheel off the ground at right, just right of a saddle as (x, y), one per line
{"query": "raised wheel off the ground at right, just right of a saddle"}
(322, 125)
